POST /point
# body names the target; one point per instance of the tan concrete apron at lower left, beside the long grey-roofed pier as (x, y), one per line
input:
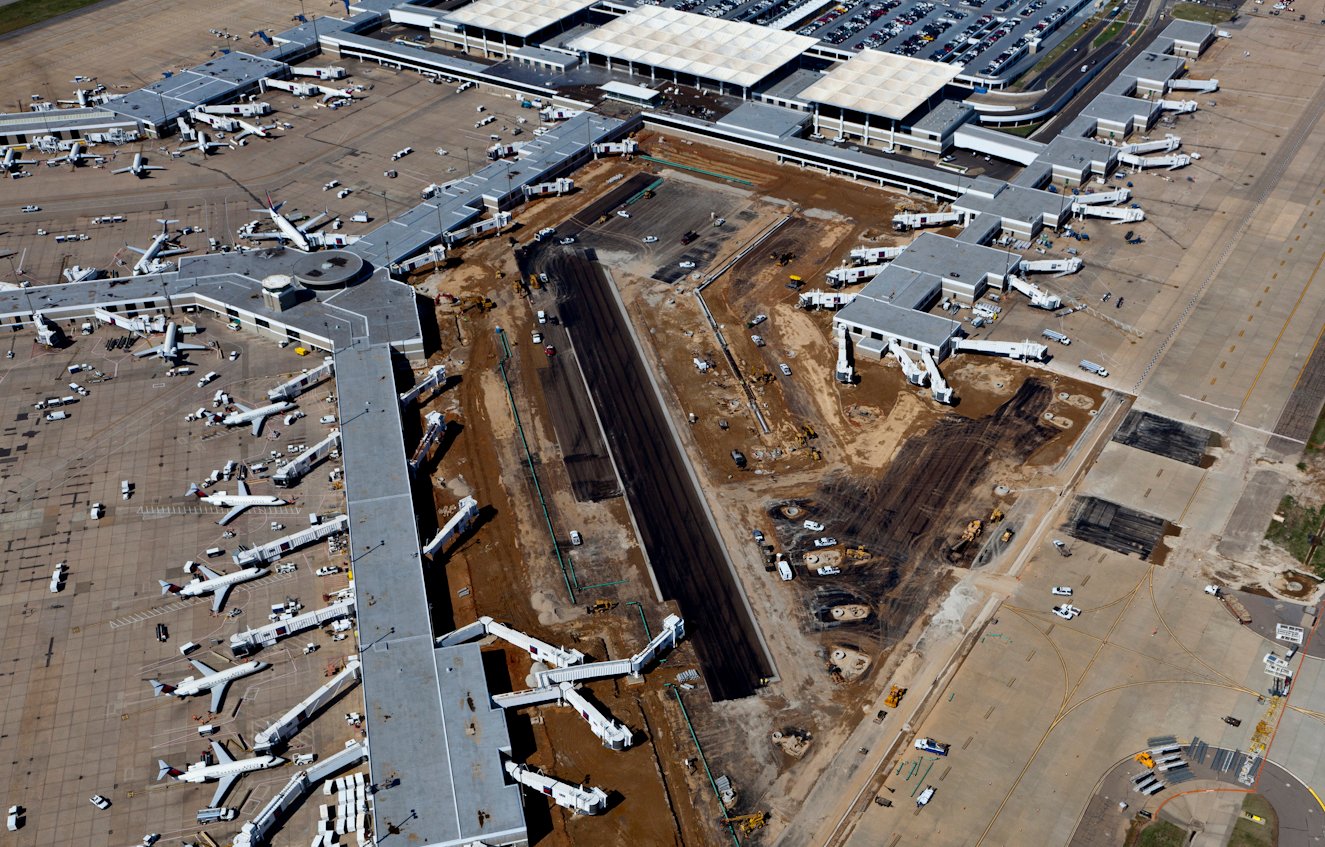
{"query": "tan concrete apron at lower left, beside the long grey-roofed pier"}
(80, 716)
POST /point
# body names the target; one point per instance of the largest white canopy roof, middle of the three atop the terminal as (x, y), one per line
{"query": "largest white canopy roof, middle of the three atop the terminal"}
(695, 44)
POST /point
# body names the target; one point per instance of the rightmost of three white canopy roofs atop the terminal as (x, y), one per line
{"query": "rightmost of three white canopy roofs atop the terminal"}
(882, 84)
